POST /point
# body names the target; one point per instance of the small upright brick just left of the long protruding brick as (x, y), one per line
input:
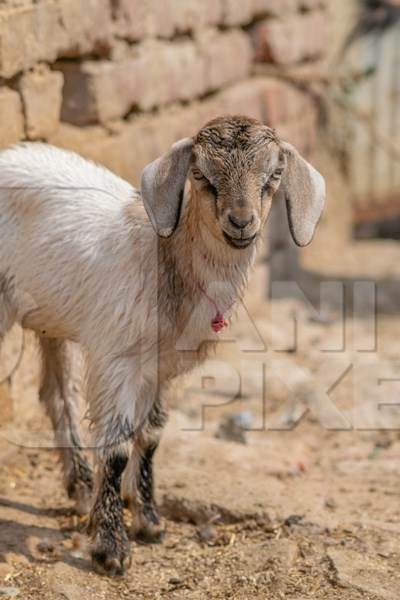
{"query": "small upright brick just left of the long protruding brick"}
(41, 93)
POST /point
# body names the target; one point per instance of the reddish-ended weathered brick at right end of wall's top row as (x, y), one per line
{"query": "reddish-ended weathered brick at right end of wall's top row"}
(292, 40)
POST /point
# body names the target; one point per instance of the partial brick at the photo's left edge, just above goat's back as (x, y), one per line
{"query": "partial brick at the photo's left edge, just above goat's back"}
(11, 117)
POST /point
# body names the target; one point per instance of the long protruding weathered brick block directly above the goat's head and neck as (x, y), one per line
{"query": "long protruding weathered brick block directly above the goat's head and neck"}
(156, 74)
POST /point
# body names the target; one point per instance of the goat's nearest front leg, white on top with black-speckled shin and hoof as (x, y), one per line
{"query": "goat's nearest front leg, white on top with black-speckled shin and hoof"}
(117, 410)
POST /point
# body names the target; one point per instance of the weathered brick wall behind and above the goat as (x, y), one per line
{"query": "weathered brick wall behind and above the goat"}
(120, 80)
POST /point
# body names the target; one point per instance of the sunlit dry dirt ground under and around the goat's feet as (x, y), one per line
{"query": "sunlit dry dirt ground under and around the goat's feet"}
(302, 510)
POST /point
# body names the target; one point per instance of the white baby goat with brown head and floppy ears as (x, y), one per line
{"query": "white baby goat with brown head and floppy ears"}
(141, 280)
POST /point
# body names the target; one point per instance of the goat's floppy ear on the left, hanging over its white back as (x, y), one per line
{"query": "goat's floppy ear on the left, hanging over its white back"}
(163, 183)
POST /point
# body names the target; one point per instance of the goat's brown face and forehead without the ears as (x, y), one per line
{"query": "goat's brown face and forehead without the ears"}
(236, 168)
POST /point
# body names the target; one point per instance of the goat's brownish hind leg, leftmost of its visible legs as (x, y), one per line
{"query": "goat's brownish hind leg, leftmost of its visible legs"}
(59, 393)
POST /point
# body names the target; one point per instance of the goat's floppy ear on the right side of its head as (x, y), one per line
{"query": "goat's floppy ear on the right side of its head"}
(305, 193)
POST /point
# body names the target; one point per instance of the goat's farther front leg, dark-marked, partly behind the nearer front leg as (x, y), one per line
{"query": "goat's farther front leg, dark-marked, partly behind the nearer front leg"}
(138, 482)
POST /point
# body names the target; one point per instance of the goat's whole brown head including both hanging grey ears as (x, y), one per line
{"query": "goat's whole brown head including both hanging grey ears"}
(235, 165)
